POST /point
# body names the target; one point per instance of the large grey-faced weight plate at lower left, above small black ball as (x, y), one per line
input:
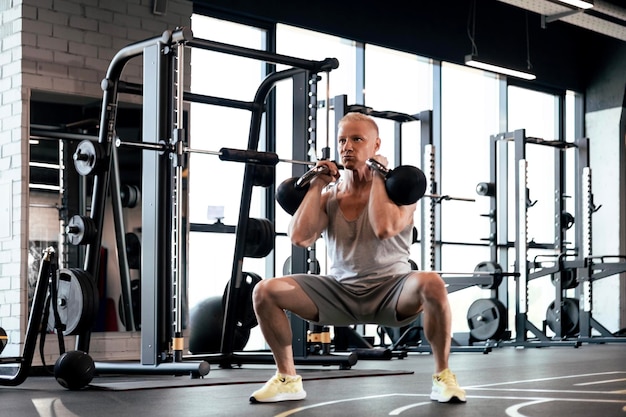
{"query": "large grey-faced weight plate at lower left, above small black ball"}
(76, 301)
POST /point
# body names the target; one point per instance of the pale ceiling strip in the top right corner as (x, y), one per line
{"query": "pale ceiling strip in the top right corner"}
(605, 17)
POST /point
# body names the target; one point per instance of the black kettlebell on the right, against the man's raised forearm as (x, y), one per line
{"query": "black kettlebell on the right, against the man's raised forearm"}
(404, 184)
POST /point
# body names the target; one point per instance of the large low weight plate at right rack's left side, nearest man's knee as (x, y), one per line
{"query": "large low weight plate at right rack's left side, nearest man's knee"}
(486, 319)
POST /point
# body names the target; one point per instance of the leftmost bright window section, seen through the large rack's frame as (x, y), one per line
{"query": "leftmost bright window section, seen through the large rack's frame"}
(215, 183)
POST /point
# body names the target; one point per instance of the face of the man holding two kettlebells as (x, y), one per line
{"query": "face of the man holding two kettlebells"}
(357, 141)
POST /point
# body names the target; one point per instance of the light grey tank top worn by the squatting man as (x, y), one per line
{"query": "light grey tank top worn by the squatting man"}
(356, 256)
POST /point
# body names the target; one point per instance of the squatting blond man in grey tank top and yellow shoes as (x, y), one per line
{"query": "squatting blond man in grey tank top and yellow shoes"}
(370, 280)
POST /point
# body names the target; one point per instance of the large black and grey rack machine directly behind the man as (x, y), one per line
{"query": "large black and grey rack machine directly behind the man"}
(162, 254)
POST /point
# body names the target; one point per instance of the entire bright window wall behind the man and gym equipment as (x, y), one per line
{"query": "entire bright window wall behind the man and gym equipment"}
(471, 106)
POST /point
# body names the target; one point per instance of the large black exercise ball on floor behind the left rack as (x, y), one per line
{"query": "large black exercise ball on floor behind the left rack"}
(205, 328)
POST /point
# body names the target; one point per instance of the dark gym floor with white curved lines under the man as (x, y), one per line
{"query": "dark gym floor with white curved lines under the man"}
(587, 381)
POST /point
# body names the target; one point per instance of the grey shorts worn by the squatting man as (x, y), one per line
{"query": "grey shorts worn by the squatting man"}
(339, 305)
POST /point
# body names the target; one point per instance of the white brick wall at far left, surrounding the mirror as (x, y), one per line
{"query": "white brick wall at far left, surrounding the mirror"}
(59, 46)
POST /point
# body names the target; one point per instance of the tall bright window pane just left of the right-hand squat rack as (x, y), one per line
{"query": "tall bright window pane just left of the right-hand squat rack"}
(469, 113)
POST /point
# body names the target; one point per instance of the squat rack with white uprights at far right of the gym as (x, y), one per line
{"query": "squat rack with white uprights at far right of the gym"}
(572, 268)
